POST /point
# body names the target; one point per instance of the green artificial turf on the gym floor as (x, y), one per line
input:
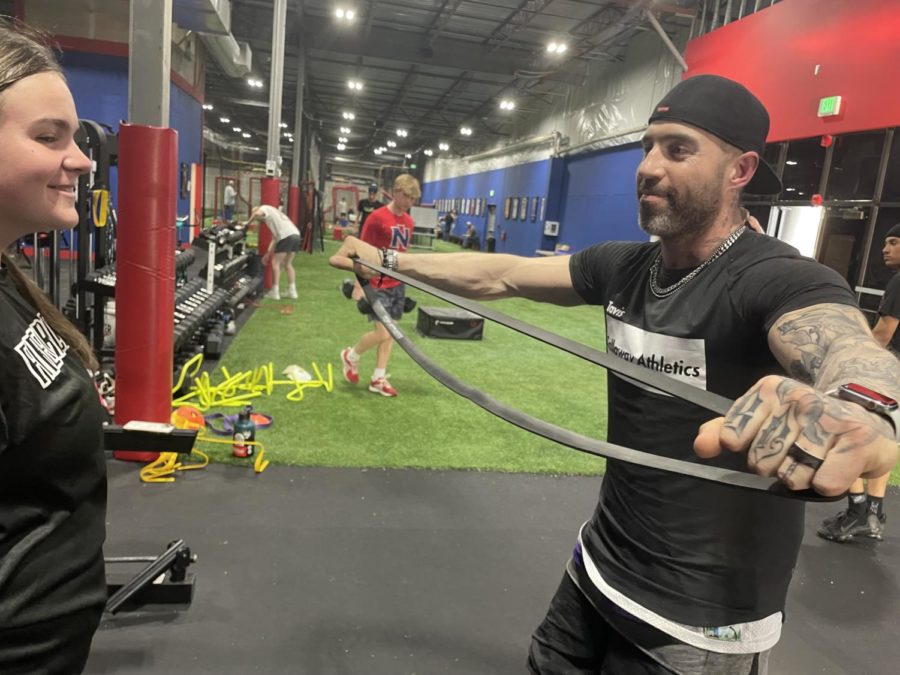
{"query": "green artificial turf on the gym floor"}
(426, 426)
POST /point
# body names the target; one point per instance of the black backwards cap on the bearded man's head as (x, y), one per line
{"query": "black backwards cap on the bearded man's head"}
(727, 110)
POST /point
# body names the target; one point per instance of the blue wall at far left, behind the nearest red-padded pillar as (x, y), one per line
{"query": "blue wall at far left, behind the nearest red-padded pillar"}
(99, 85)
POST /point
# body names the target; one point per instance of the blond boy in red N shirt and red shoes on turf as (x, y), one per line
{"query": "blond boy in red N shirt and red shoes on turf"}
(388, 229)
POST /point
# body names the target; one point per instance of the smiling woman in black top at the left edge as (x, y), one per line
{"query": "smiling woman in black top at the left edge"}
(52, 463)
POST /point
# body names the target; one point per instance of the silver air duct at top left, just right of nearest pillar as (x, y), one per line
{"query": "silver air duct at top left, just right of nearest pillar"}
(212, 20)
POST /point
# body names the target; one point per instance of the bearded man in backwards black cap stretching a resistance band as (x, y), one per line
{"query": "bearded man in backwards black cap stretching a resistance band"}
(671, 574)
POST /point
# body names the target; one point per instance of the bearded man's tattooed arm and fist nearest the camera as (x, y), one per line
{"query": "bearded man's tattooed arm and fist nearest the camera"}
(790, 428)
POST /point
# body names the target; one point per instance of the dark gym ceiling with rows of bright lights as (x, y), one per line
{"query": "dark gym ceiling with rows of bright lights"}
(429, 67)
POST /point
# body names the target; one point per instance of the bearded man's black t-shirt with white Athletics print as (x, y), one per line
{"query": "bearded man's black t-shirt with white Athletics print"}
(694, 552)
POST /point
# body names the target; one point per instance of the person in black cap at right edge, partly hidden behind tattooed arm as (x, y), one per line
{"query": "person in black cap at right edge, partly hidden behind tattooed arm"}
(865, 516)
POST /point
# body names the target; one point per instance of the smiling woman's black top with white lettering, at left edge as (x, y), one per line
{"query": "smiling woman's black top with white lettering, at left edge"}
(52, 472)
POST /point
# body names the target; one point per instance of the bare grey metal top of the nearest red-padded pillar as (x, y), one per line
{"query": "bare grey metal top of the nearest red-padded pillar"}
(149, 62)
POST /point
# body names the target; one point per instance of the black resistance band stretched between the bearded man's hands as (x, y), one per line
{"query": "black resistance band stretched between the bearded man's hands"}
(704, 399)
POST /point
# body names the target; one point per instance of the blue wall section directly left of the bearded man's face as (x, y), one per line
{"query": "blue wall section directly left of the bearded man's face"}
(599, 200)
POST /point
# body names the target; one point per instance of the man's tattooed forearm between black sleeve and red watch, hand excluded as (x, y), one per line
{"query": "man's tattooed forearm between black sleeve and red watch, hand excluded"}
(828, 345)
